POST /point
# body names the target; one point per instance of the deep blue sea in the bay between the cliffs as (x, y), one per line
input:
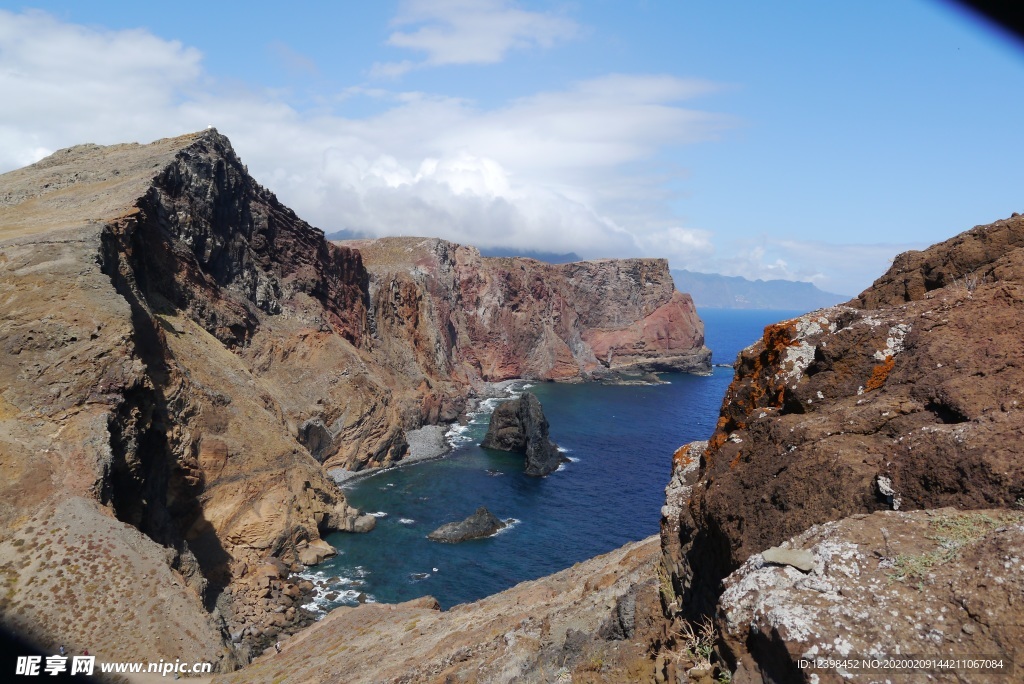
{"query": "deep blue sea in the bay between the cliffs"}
(619, 442)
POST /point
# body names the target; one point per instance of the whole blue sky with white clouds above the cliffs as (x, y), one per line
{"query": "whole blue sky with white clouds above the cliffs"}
(800, 141)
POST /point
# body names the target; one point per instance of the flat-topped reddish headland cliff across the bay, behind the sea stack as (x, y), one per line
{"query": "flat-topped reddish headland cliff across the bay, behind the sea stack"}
(496, 319)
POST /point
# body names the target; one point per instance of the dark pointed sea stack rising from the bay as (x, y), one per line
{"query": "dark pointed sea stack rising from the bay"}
(520, 425)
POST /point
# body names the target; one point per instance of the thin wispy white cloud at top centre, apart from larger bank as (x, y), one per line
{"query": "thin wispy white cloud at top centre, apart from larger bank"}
(468, 32)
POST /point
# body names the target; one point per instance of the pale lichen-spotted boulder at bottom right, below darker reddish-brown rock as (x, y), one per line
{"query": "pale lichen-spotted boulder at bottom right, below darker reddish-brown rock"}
(941, 584)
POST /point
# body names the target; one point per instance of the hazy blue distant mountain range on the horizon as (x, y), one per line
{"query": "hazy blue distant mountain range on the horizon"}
(735, 292)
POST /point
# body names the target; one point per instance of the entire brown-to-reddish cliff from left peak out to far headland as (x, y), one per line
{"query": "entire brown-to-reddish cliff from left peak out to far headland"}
(184, 358)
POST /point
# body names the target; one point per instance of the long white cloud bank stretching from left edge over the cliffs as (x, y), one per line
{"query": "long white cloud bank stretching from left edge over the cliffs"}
(545, 173)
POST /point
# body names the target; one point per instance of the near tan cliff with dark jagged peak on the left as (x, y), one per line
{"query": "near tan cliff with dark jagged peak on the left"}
(162, 324)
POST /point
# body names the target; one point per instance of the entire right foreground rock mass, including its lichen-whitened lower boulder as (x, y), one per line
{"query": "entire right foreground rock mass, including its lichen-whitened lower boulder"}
(909, 398)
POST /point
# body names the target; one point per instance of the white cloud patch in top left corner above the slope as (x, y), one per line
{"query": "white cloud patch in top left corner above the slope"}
(66, 82)
